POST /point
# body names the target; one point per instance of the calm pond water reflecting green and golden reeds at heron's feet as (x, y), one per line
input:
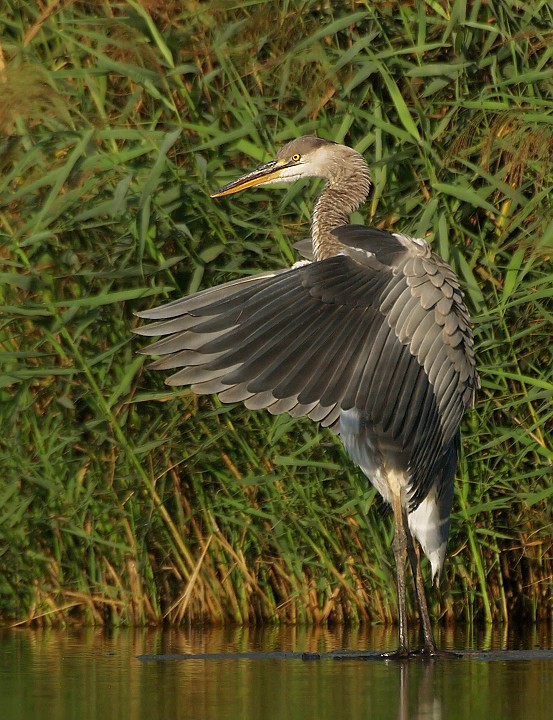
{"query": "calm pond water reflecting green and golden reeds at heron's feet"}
(93, 674)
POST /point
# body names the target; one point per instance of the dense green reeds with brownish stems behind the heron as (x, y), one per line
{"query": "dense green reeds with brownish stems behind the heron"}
(124, 502)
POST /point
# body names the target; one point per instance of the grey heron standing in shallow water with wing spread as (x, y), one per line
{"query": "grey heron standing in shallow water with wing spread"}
(369, 337)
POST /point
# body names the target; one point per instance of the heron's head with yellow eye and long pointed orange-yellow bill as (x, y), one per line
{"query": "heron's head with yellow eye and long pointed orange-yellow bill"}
(307, 156)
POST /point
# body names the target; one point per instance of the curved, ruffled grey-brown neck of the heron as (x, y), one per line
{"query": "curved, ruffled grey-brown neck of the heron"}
(340, 197)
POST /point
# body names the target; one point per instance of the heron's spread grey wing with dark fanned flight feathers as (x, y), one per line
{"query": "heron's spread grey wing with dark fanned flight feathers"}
(380, 327)
